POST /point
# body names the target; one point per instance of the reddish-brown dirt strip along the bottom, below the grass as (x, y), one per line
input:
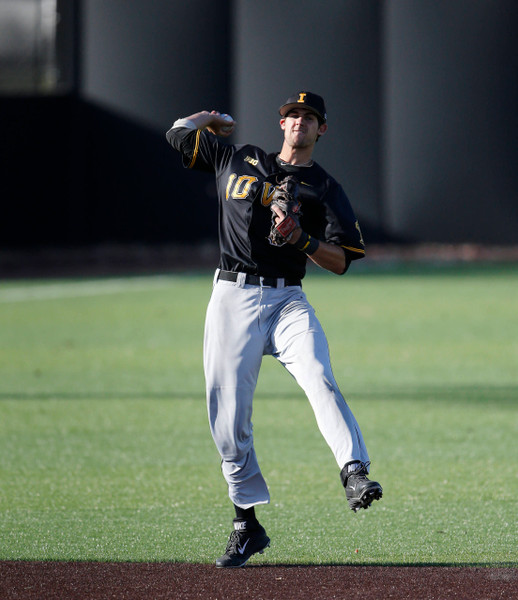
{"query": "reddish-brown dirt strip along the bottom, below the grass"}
(161, 581)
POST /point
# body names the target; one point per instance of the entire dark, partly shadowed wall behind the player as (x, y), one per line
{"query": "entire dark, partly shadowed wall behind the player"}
(422, 100)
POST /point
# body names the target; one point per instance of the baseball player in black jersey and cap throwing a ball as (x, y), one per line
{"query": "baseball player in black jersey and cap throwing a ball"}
(275, 211)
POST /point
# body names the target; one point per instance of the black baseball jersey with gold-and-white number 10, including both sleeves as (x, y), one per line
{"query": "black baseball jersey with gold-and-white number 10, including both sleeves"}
(245, 180)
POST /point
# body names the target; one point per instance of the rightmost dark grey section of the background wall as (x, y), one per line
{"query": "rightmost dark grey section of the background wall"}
(451, 120)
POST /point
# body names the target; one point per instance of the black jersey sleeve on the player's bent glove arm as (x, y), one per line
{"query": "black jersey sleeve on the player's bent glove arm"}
(342, 227)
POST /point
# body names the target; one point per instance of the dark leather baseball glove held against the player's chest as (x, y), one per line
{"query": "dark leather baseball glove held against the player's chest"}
(286, 197)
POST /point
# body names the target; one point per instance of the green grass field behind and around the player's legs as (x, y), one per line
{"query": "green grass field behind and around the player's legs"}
(105, 452)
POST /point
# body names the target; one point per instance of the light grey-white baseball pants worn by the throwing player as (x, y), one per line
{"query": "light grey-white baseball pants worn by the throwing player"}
(243, 323)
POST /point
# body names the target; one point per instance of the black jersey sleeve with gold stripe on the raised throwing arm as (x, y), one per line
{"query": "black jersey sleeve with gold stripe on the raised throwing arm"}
(200, 149)
